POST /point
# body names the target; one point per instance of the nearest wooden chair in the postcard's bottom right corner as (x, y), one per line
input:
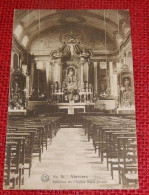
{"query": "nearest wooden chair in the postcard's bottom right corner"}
(127, 149)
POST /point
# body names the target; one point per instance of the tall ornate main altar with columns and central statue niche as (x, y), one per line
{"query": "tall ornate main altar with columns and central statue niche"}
(70, 88)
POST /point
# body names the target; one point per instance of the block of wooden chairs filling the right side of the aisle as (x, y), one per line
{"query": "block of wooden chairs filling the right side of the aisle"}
(114, 139)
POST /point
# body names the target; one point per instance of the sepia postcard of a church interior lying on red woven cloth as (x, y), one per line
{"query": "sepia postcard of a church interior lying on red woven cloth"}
(71, 100)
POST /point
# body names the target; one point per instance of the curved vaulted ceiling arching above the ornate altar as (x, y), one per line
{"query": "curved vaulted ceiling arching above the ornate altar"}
(99, 30)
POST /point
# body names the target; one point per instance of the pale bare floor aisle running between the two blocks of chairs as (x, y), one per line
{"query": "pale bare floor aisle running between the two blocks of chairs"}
(69, 156)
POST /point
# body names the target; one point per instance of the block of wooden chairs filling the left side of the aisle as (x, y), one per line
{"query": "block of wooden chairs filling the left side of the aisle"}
(26, 138)
